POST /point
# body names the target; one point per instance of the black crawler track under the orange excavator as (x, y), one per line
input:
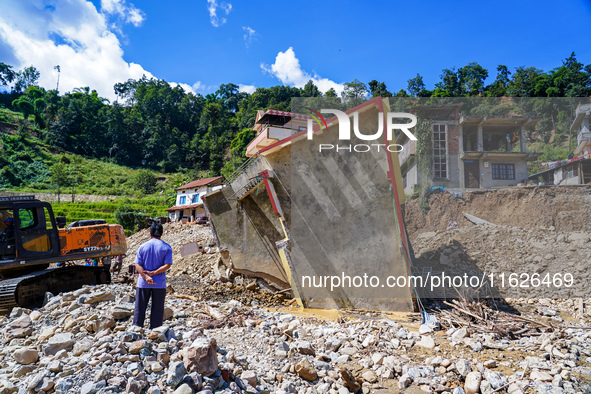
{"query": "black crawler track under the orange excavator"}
(29, 290)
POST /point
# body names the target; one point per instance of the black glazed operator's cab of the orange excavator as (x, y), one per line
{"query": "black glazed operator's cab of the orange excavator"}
(29, 233)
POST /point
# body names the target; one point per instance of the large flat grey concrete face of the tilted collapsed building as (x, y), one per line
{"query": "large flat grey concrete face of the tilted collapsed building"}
(343, 222)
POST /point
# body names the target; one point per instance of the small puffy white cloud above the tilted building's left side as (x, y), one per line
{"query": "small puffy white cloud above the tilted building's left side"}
(288, 70)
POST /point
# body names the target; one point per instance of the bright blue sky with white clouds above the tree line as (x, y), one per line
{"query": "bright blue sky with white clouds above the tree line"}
(204, 43)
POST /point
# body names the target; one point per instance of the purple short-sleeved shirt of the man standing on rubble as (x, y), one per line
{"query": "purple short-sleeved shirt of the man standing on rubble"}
(152, 255)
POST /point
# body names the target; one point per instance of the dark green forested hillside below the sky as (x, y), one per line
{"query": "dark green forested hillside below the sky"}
(155, 125)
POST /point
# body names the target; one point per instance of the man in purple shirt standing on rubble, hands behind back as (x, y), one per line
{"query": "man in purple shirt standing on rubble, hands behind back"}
(153, 259)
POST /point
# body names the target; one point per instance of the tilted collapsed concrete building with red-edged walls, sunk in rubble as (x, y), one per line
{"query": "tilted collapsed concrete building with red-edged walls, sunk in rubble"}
(296, 216)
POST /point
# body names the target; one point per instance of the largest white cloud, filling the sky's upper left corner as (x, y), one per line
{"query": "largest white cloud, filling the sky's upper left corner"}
(73, 35)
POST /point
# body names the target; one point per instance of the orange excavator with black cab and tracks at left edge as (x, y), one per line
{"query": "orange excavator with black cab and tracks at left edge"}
(32, 239)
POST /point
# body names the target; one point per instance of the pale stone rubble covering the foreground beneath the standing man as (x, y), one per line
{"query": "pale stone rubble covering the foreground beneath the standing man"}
(83, 342)
